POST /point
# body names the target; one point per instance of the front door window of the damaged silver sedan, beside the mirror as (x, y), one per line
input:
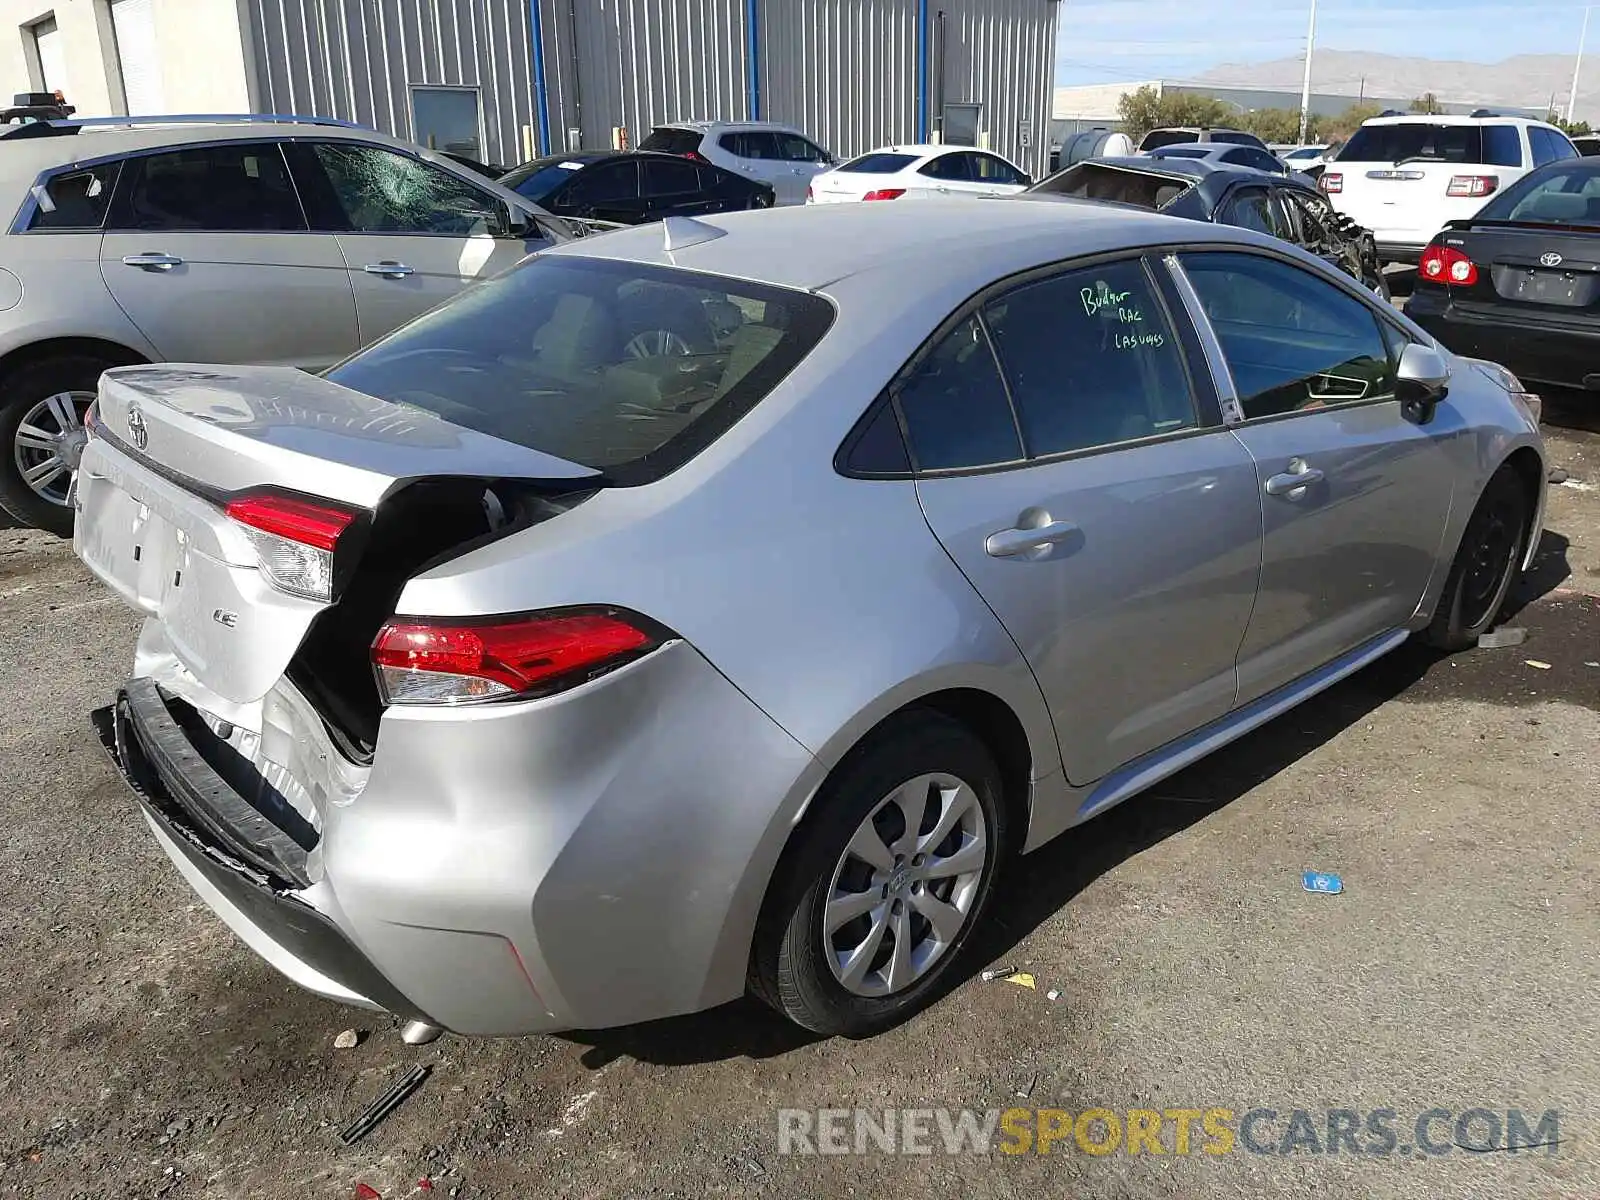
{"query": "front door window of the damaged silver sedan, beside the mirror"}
(1294, 342)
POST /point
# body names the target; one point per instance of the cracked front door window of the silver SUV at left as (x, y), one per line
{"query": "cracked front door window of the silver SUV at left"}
(385, 193)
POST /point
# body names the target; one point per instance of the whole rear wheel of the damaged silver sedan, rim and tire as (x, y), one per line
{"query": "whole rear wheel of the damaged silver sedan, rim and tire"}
(878, 900)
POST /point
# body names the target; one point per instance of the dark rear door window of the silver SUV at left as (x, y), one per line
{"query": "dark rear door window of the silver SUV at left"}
(231, 188)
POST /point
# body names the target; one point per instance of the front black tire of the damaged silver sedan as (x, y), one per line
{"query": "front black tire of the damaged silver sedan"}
(1487, 564)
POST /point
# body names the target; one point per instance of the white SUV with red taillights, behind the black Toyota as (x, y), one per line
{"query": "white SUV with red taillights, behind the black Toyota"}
(1407, 177)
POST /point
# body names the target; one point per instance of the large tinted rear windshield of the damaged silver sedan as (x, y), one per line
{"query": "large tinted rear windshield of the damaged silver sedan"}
(620, 367)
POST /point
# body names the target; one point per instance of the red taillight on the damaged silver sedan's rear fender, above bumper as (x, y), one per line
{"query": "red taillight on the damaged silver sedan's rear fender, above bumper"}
(468, 662)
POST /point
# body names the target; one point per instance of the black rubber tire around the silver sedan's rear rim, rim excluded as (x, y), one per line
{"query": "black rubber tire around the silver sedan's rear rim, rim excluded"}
(790, 967)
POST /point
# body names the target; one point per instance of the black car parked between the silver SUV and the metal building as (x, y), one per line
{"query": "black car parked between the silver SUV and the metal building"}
(631, 188)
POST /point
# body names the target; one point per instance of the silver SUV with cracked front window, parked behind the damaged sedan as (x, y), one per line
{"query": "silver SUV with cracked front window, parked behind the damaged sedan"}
(225, 241)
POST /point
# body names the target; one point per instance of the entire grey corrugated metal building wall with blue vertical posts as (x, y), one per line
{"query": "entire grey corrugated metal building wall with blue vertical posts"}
(846, 71)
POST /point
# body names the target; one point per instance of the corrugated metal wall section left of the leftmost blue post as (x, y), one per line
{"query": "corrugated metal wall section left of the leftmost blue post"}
(358, 60)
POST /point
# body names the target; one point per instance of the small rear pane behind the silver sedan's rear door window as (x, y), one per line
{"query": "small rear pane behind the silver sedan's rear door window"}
(956, 407)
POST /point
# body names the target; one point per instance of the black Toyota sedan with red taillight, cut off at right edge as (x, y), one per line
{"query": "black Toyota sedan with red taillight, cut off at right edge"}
(1519, 284)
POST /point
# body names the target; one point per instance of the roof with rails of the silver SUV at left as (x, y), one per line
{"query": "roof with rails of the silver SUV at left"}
(22, 159)
